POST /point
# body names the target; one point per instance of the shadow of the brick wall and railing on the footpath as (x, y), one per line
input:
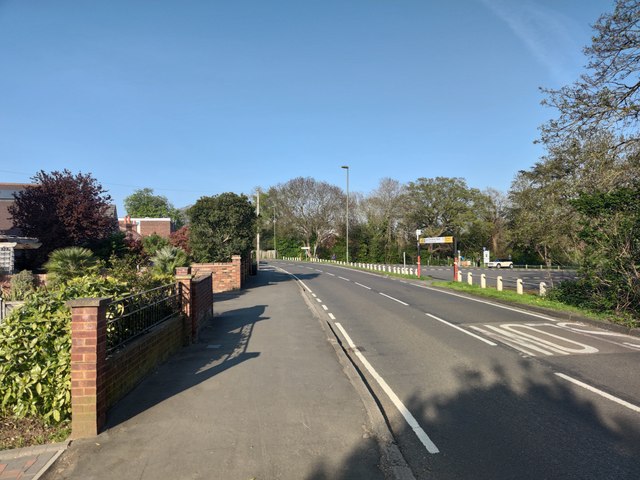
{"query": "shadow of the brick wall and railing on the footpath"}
(222, 345)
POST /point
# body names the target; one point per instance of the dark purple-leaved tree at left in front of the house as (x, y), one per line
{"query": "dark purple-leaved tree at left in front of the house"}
(62, 210)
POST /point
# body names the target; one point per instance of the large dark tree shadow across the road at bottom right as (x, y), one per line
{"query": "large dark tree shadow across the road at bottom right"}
(520, 427)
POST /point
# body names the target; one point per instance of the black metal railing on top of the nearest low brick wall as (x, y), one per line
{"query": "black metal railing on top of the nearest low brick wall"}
(130, 317)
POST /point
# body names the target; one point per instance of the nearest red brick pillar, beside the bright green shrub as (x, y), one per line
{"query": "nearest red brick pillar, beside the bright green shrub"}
(88, 365)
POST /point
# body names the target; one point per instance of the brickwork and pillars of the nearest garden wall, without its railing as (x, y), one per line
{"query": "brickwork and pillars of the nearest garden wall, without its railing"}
(98, 382)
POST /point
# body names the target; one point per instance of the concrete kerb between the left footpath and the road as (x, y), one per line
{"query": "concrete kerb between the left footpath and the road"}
(393, 462)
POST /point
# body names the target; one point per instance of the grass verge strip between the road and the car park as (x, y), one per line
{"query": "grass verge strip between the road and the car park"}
(537, 301)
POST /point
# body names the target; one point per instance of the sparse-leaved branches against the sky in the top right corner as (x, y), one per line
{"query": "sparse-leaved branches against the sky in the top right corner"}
(608, 96)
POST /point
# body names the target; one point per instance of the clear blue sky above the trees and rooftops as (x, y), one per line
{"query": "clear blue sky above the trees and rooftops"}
(196, 98)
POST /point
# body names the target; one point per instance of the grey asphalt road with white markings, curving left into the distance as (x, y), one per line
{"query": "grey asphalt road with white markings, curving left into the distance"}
(476, 390)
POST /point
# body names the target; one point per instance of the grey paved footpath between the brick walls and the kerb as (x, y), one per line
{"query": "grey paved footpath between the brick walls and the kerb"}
(261, 396)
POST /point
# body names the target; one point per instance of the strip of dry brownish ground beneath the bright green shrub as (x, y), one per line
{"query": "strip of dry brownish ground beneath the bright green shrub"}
(27, 432)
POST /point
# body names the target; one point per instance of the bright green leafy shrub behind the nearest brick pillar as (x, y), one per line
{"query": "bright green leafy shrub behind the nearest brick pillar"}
(35, 349)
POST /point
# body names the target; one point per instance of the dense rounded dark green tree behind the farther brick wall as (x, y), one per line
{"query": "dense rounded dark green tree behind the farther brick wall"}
(221, 226)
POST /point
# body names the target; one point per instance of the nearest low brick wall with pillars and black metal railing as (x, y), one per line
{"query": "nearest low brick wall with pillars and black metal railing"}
(115, 344)
